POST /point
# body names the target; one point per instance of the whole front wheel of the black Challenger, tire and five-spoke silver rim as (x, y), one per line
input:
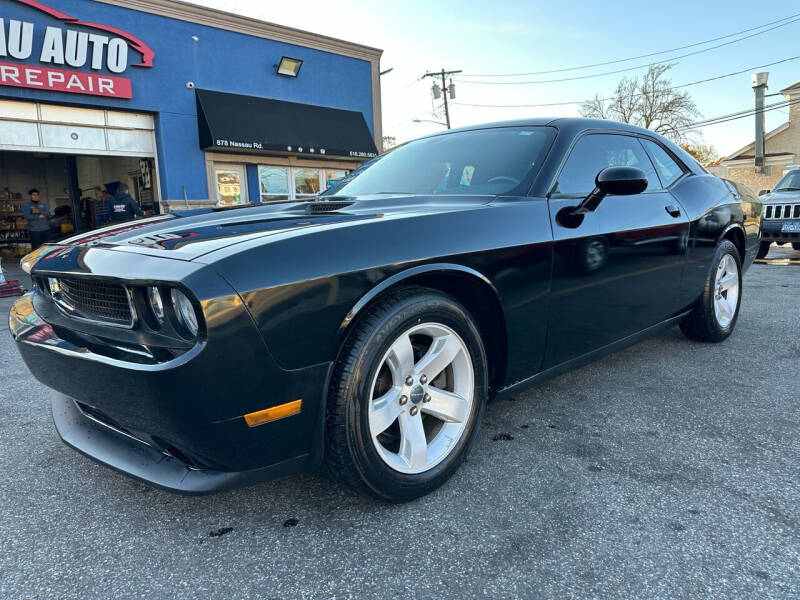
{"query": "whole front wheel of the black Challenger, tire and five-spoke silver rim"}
(406, 396)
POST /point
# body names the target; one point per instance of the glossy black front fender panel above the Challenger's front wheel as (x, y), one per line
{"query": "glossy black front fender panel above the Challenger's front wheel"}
(302, 289)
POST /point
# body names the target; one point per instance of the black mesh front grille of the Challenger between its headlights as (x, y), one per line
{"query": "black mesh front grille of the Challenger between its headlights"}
(93, 300)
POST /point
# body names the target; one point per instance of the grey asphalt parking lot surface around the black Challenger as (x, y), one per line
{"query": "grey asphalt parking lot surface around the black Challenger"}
(668, 470)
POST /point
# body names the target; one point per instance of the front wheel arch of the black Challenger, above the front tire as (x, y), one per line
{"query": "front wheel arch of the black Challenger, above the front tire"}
(469, 287)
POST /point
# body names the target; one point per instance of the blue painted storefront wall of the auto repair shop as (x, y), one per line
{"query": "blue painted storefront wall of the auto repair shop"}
(208, 57)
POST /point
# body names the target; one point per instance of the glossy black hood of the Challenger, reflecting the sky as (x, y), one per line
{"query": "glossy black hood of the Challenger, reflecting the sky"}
(187, 235)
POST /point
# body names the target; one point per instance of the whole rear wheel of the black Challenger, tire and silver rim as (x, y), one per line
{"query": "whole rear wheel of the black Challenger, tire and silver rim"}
(714, 316)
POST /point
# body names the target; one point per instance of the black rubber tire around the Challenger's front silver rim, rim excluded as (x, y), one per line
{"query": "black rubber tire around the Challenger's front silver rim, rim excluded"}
(351, 456)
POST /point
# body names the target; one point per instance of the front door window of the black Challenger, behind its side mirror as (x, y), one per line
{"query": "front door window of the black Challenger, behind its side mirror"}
(597, 151)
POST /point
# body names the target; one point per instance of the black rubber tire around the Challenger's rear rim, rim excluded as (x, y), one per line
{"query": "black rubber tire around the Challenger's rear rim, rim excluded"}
(701, 324)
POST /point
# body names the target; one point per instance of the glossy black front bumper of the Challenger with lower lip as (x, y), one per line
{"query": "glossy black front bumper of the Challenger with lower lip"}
(179, 425)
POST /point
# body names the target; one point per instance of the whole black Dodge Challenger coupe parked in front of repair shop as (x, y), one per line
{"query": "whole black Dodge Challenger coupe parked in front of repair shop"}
(365, 330)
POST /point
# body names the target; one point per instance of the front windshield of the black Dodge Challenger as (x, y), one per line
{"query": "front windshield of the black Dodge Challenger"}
(480, 162)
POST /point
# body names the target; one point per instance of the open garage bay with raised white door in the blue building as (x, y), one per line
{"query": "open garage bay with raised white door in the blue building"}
(75, 157)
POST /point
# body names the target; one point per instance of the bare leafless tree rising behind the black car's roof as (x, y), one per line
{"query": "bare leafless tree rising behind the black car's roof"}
(649, 102)
